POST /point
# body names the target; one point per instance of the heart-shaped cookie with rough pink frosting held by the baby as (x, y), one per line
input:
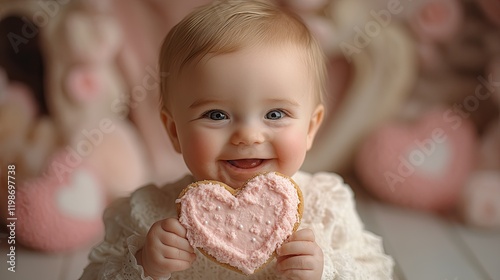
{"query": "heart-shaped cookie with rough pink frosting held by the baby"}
(241, 229)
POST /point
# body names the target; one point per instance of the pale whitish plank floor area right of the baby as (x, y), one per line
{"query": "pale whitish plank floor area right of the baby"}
(426, 246)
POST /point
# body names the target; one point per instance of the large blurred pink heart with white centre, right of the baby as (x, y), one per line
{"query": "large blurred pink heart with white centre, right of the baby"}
(424, 165)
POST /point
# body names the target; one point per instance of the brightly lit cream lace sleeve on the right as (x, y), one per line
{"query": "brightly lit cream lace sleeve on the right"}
(350, 252)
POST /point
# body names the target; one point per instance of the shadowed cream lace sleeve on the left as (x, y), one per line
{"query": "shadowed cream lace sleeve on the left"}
(127, 222)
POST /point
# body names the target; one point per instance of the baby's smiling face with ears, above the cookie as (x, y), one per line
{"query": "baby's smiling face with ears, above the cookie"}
(238, 114)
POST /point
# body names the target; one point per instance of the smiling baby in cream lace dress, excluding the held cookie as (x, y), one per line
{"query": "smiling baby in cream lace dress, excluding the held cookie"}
(243, 95)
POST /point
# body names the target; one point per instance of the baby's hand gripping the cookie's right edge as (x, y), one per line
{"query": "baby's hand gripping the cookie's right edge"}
(300, 257)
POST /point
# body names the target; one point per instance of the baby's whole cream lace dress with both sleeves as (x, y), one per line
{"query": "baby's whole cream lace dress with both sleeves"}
(350, 252)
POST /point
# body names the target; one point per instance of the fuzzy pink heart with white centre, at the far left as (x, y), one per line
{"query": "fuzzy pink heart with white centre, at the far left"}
(46, 224)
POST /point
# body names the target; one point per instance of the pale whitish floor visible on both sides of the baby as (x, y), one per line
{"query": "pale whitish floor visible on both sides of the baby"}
(424, 247)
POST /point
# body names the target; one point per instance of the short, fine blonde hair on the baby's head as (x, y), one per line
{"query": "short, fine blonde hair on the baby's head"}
(227, 26)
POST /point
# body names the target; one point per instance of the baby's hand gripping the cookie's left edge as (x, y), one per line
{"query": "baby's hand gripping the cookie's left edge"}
(166, 249)
